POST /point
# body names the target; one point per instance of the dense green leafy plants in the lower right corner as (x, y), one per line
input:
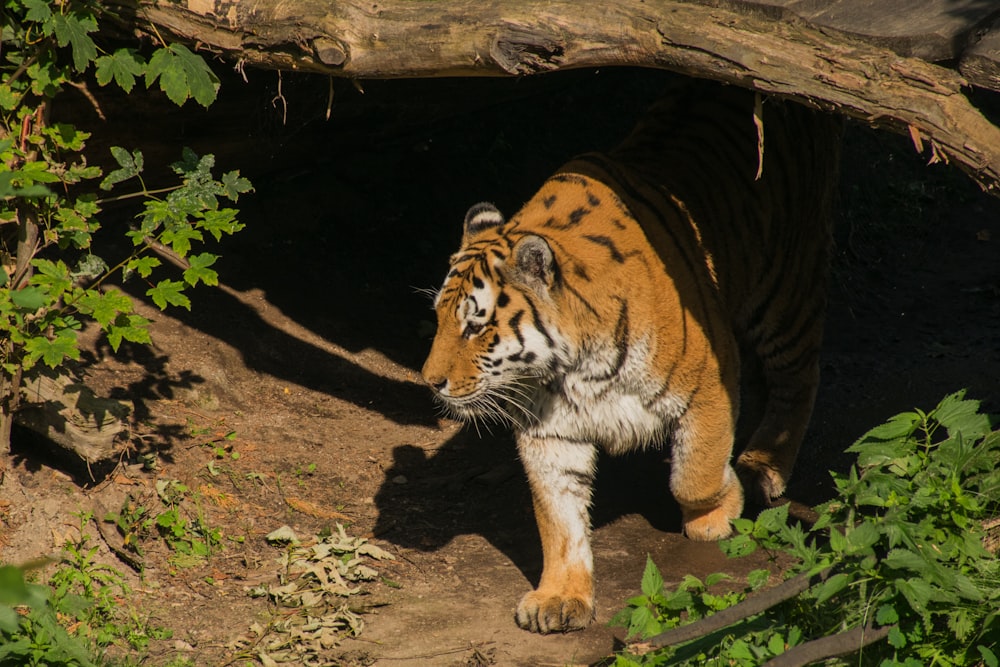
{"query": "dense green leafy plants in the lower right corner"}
(897, 557)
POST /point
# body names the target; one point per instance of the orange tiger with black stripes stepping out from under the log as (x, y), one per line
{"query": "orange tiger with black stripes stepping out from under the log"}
(618, 307)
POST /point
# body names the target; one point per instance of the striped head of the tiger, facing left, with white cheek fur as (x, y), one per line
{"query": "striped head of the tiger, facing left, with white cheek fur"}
(496, 339)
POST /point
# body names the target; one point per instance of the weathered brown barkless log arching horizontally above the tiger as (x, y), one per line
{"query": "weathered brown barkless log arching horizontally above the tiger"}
(781, 56)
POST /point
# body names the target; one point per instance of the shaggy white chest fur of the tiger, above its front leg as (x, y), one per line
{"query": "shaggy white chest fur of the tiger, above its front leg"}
(606, 398)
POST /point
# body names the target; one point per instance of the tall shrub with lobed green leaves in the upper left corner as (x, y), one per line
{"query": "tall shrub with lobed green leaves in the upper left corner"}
(50, 197)
